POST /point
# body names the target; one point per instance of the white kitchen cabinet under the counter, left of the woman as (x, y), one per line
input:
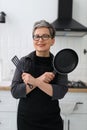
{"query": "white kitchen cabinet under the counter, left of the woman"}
(8, 111)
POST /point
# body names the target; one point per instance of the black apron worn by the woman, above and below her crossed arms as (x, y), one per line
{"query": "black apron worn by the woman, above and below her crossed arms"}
(38, 111)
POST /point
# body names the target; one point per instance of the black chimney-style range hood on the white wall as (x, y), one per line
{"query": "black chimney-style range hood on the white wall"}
(64, 24)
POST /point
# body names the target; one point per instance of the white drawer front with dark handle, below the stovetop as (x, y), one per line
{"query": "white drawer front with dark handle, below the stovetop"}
(74, 103)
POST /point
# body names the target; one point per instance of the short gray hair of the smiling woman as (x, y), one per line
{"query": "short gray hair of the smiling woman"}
(44, 23)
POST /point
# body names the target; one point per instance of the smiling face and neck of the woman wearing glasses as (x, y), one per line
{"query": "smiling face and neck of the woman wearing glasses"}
(43, 44)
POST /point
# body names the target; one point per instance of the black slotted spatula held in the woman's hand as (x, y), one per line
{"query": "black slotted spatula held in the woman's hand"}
(17, 63)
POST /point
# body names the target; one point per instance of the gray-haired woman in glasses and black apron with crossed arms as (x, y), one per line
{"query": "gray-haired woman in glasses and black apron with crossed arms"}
(37, 87)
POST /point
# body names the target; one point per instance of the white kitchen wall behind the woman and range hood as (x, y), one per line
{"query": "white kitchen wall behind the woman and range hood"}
(16, 33)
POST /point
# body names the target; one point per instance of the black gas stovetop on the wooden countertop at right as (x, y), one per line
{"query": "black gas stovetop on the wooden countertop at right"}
(77, 84)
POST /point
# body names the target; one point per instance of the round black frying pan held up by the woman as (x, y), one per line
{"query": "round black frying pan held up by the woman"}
(65, 61)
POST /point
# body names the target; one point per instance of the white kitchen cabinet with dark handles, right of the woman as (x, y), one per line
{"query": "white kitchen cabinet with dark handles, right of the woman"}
(74, 111)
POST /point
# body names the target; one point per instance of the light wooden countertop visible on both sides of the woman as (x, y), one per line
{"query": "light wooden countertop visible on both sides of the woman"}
(7, 88)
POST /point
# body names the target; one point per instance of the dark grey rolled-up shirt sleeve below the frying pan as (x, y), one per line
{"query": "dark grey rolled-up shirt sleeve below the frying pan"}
(60, 86)
